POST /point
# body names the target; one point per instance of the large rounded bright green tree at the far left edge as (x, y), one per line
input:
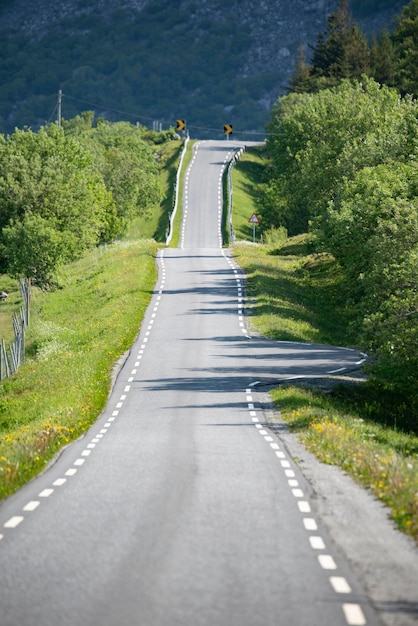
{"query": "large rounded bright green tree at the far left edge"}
(49, 175)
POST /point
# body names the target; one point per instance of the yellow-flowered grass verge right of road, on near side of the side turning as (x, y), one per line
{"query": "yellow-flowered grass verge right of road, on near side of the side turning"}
(382, 459)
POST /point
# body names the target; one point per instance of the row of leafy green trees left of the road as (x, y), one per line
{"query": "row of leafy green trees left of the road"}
(65, 190)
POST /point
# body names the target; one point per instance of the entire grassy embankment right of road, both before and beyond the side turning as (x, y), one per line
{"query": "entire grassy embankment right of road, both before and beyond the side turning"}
(297, 296)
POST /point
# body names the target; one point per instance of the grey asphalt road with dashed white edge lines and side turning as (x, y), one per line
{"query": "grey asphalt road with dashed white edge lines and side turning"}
(180, 507)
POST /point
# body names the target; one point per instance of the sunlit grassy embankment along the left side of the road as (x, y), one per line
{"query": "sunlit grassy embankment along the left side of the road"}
(75, 336)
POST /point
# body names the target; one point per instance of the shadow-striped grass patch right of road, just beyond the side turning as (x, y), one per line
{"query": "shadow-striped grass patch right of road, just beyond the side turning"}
(298, 296)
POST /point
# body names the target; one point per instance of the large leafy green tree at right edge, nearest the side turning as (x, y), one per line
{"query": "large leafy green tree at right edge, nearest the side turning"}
(373, 231)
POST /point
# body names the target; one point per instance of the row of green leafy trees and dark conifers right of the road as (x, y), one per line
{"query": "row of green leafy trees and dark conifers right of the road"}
(343, 165)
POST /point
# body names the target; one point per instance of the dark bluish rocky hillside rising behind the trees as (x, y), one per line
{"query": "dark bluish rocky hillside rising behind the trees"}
(208, 61)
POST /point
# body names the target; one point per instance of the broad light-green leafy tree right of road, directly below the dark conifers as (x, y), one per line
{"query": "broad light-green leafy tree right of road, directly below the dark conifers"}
(317, 140)
